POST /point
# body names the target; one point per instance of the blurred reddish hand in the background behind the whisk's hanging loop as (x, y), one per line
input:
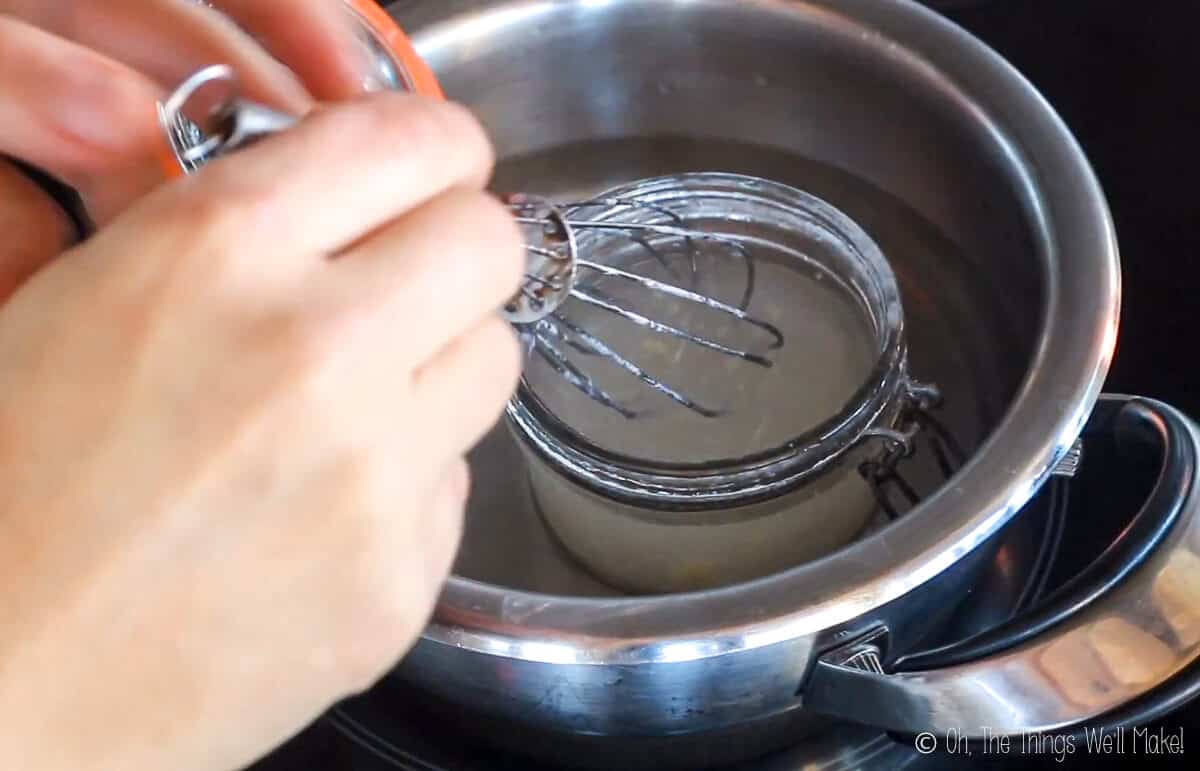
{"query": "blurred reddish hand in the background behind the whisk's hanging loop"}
(80, 81)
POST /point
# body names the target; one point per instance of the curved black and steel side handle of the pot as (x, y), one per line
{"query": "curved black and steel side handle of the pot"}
(1117, 633)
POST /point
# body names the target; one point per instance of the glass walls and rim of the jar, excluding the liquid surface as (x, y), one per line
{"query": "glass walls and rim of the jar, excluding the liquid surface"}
(658, 524)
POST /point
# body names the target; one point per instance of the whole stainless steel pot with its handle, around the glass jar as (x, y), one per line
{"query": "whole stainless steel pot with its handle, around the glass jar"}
(875, 105)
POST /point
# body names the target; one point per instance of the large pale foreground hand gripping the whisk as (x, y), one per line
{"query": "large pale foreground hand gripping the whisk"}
(232, 428)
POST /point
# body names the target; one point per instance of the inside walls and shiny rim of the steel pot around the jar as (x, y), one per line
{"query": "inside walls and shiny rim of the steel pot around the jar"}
(973, 187)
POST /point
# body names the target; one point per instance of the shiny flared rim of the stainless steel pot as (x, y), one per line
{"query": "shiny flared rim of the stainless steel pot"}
(1078, 334)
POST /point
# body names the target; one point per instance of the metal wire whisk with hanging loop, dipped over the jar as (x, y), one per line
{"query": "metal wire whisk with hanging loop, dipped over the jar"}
(557, 271)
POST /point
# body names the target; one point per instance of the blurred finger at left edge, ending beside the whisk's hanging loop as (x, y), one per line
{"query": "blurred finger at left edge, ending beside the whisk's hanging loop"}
(79, 116)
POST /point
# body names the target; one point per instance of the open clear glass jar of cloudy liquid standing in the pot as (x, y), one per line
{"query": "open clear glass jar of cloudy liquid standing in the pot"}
(674, 501)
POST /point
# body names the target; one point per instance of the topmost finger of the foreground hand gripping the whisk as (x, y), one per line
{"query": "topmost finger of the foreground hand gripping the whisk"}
(343, 174)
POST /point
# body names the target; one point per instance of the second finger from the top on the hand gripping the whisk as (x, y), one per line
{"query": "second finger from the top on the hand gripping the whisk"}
(449, 265)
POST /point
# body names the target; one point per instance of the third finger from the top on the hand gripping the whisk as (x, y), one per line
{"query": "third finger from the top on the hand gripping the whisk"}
(464, 390)
